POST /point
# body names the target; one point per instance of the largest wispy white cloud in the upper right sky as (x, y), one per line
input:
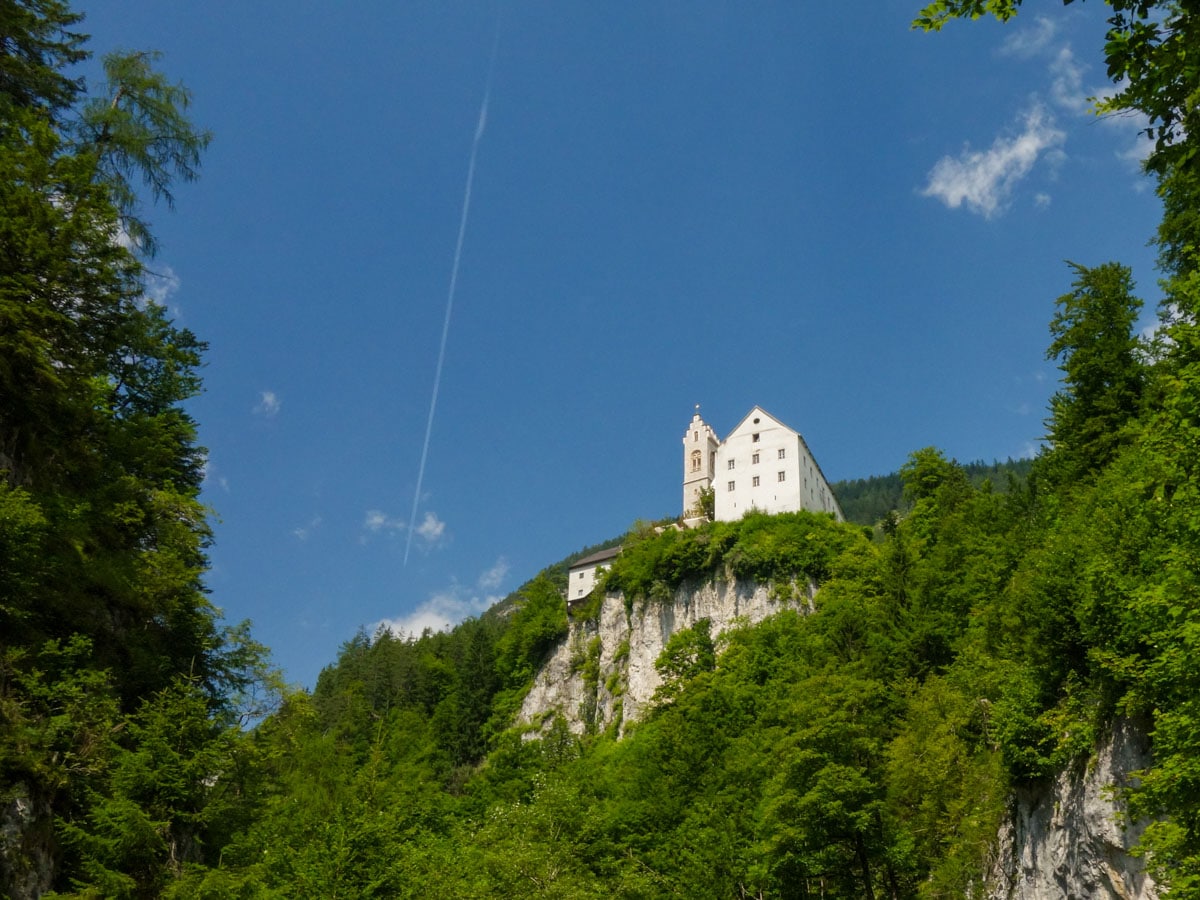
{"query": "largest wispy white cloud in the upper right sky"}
(985, 181)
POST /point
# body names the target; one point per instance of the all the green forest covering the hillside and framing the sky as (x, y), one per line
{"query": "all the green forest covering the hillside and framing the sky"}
(977, 643)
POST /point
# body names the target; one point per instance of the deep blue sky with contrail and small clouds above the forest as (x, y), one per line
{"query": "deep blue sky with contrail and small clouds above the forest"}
(812, 208)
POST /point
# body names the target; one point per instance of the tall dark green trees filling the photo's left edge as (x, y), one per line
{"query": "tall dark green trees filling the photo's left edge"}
(121, 693)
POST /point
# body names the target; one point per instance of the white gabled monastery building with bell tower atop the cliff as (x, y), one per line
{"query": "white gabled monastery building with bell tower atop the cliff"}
(763, 465)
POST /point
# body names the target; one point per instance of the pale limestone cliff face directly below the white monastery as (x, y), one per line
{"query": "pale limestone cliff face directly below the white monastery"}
(603, 674)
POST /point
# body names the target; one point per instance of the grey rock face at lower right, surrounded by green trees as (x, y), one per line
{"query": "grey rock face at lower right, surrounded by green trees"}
(1067, 841)
